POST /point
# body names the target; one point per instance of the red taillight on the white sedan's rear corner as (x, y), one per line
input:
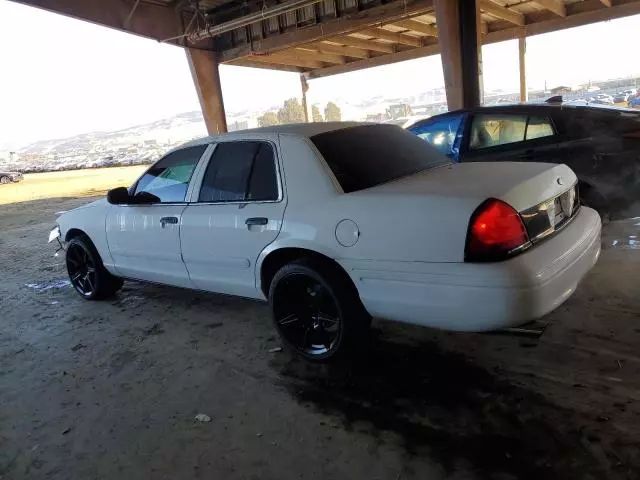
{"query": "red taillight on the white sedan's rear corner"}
(495, 232)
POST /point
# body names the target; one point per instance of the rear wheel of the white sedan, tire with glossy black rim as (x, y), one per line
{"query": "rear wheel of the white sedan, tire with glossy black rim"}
(317, 311)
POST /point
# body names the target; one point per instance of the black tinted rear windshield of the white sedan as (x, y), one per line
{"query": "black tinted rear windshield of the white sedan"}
(369, 155)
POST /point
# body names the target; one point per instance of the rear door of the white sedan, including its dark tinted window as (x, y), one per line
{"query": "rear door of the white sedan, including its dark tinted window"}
(233, 216)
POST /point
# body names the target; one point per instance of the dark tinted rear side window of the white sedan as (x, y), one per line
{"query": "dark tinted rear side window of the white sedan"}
(240, 171)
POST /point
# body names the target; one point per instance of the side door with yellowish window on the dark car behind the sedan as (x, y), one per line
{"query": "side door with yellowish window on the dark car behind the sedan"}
(516, 137)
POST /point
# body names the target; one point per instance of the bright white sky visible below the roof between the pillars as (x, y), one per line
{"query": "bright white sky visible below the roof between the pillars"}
(61, 77)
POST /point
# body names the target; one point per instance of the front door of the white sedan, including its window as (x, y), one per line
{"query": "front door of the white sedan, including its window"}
(144, 239)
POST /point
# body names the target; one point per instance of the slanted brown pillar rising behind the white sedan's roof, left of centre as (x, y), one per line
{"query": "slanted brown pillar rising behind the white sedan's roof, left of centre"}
(206, 78)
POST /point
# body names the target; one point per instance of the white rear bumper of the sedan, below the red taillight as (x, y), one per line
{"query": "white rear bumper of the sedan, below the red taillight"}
(482, 297)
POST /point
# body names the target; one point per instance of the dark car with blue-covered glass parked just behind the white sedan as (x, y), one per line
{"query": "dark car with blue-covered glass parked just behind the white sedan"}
(600, 144)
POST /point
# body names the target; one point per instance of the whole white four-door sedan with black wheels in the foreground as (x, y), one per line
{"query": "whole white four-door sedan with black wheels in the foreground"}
(336, 222)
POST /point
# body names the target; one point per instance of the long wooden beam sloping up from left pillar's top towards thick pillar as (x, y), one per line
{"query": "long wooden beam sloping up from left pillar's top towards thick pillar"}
(389, 12)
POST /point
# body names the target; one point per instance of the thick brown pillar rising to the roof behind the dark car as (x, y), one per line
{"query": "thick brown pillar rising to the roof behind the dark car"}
(458, 38)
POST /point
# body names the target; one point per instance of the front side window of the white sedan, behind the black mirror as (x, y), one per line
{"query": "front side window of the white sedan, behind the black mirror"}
(169, 178)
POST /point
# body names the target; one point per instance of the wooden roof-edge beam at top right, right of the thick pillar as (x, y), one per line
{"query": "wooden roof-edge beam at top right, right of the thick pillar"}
(578, 14)
